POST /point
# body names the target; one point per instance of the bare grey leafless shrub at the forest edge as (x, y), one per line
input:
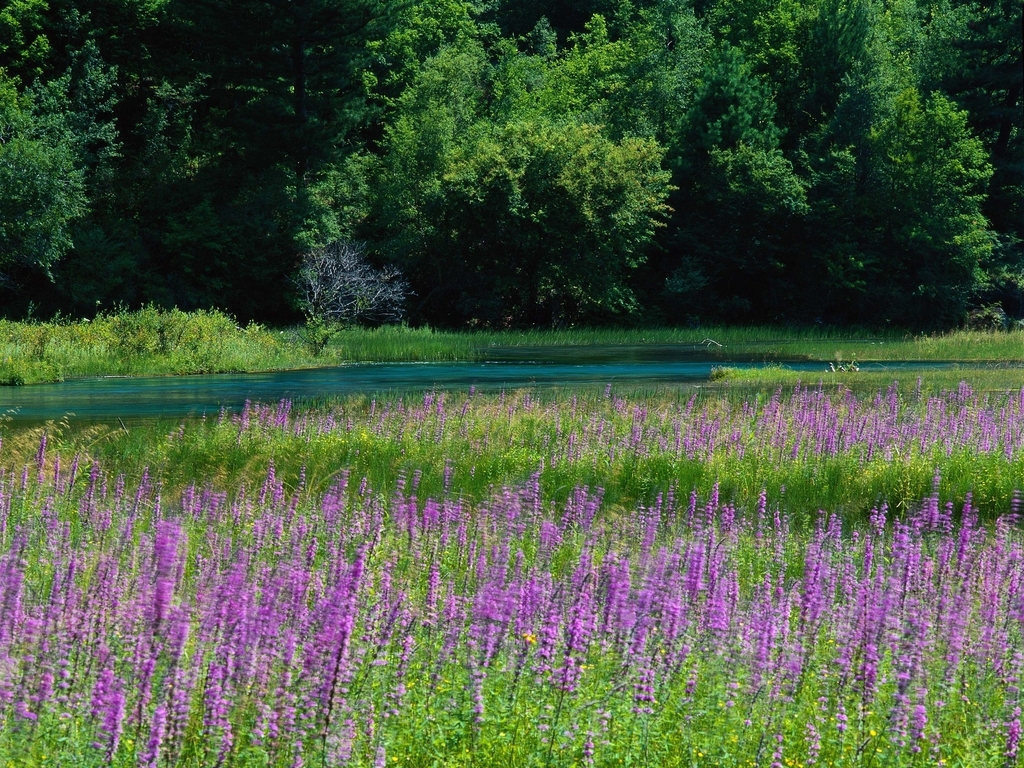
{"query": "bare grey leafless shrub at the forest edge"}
(338, 287)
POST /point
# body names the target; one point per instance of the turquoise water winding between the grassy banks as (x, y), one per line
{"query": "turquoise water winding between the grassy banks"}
(112, 399)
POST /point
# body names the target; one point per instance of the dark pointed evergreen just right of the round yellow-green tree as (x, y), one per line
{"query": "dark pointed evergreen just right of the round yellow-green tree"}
(740, 201)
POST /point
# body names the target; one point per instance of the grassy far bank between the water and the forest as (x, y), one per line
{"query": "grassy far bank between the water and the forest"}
(153, 343)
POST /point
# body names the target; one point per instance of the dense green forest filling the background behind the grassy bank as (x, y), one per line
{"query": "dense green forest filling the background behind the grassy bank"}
(521, 163)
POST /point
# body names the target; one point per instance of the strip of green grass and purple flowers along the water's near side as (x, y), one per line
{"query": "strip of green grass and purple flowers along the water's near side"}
(817, 448)
